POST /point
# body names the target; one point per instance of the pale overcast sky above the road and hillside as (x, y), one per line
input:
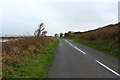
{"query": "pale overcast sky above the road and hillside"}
(23, 16)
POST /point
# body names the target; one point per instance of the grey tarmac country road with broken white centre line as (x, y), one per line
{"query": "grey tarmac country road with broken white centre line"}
(73, 60)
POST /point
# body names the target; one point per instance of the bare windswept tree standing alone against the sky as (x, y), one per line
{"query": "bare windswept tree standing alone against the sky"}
(40, 31)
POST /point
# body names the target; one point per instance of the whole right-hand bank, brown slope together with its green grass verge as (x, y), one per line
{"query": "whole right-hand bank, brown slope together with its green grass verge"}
(104, 39)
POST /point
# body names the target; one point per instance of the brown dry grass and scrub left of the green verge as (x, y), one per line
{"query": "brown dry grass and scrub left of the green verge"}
(14, 51)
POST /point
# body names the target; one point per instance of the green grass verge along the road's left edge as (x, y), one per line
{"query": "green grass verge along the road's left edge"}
(38, 65)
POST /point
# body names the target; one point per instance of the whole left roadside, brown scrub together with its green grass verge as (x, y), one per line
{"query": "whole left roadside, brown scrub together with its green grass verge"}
(28, 57)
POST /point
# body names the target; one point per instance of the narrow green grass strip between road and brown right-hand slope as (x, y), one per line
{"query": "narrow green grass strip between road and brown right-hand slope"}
(108, 48)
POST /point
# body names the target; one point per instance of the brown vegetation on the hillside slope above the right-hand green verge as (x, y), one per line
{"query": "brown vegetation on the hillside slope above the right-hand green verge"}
(108, 33)
